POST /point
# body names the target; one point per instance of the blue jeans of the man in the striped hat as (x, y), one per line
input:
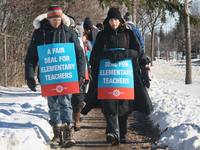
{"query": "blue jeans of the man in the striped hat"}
(60, 109)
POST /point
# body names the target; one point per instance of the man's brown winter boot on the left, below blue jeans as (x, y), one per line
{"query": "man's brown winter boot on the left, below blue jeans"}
(57, 139)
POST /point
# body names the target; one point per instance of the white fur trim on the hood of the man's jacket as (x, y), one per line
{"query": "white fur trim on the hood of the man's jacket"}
(38, 19)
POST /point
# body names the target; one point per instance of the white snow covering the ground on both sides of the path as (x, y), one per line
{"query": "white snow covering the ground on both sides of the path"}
(24, 114)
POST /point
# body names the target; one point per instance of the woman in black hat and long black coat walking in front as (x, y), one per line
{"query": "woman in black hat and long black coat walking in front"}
(115, 35)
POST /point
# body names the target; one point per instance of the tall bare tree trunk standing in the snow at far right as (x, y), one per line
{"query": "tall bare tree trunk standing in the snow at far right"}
(188, 77)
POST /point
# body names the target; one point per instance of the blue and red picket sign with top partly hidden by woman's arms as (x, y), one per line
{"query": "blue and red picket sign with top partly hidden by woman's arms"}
(116, 80)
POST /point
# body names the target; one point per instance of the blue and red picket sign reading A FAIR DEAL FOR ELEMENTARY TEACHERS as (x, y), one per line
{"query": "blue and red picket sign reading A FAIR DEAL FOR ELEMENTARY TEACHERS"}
(58, 69)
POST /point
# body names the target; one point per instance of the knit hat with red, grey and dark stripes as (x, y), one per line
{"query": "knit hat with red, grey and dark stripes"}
(54, 12)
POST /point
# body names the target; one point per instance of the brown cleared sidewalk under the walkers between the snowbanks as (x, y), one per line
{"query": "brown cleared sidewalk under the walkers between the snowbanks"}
(141, 135)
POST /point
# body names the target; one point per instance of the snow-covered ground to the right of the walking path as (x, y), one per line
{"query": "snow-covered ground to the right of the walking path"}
(176, 105)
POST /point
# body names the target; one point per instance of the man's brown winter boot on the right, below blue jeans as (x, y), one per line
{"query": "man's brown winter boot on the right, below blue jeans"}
(67, 136)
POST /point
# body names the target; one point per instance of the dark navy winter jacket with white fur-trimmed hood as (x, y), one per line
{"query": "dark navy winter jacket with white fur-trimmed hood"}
(45, 34)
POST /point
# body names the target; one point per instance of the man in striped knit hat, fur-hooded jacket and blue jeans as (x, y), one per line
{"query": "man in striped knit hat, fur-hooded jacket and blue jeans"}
(51, 28)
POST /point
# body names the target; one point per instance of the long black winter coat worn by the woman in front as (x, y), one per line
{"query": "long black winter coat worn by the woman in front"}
(120, 38)
